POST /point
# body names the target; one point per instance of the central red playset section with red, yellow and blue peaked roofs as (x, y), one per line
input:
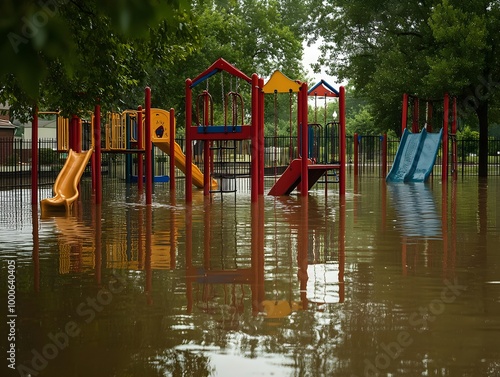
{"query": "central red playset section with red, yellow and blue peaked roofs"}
(302, 171)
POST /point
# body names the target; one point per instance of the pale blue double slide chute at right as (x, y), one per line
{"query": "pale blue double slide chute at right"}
(415, 157)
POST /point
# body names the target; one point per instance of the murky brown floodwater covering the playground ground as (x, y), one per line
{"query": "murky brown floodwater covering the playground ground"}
(399, 280)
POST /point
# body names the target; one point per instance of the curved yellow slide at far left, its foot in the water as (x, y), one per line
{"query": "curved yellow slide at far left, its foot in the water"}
(66, 185)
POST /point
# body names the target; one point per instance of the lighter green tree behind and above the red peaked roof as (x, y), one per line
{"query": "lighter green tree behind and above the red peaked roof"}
(253, 35)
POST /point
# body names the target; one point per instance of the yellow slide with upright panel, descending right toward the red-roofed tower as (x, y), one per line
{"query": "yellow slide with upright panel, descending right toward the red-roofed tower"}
(160, 136)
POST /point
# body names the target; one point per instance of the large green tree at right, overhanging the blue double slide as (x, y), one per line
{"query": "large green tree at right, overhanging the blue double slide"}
(388, 47)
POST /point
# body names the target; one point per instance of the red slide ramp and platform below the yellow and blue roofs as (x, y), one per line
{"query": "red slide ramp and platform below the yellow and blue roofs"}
(291, 177)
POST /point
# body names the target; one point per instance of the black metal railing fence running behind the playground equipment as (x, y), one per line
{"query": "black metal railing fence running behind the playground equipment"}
(15, 158)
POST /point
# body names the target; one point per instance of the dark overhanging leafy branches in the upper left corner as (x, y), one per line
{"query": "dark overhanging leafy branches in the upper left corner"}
(71, 54)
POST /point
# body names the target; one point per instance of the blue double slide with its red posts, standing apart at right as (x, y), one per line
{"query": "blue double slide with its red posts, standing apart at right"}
(418, 150)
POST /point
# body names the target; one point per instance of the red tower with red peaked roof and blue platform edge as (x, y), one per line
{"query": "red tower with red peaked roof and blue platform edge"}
(215, 138)
